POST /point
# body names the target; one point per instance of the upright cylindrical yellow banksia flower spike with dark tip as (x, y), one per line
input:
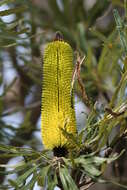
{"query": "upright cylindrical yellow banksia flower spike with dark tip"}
(57, 103)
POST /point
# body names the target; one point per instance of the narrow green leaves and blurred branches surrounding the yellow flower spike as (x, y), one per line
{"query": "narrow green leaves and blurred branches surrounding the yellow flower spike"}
(96, 29)
